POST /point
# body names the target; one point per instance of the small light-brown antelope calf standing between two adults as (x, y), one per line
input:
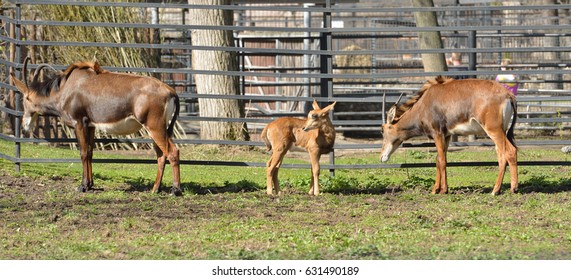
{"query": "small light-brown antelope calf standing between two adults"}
(315, 134)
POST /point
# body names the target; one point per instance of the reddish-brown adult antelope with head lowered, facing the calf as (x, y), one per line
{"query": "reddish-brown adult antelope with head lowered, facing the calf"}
(445, 107)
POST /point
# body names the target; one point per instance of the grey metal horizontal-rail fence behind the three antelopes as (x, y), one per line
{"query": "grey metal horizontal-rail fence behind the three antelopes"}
(355, 54)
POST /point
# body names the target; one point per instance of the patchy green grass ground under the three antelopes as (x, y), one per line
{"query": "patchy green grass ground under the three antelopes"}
(225, 214)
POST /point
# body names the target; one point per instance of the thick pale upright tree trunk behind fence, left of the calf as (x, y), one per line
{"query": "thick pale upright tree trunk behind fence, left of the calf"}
(216, 61)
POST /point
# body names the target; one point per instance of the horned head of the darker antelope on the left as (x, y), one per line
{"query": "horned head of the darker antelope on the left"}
(32, 104)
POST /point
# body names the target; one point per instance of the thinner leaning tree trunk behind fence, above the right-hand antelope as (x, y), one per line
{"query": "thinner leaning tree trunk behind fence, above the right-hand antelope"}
(429, 40)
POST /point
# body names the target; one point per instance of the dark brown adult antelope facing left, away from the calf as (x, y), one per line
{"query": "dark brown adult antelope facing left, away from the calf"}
(87, 97)
